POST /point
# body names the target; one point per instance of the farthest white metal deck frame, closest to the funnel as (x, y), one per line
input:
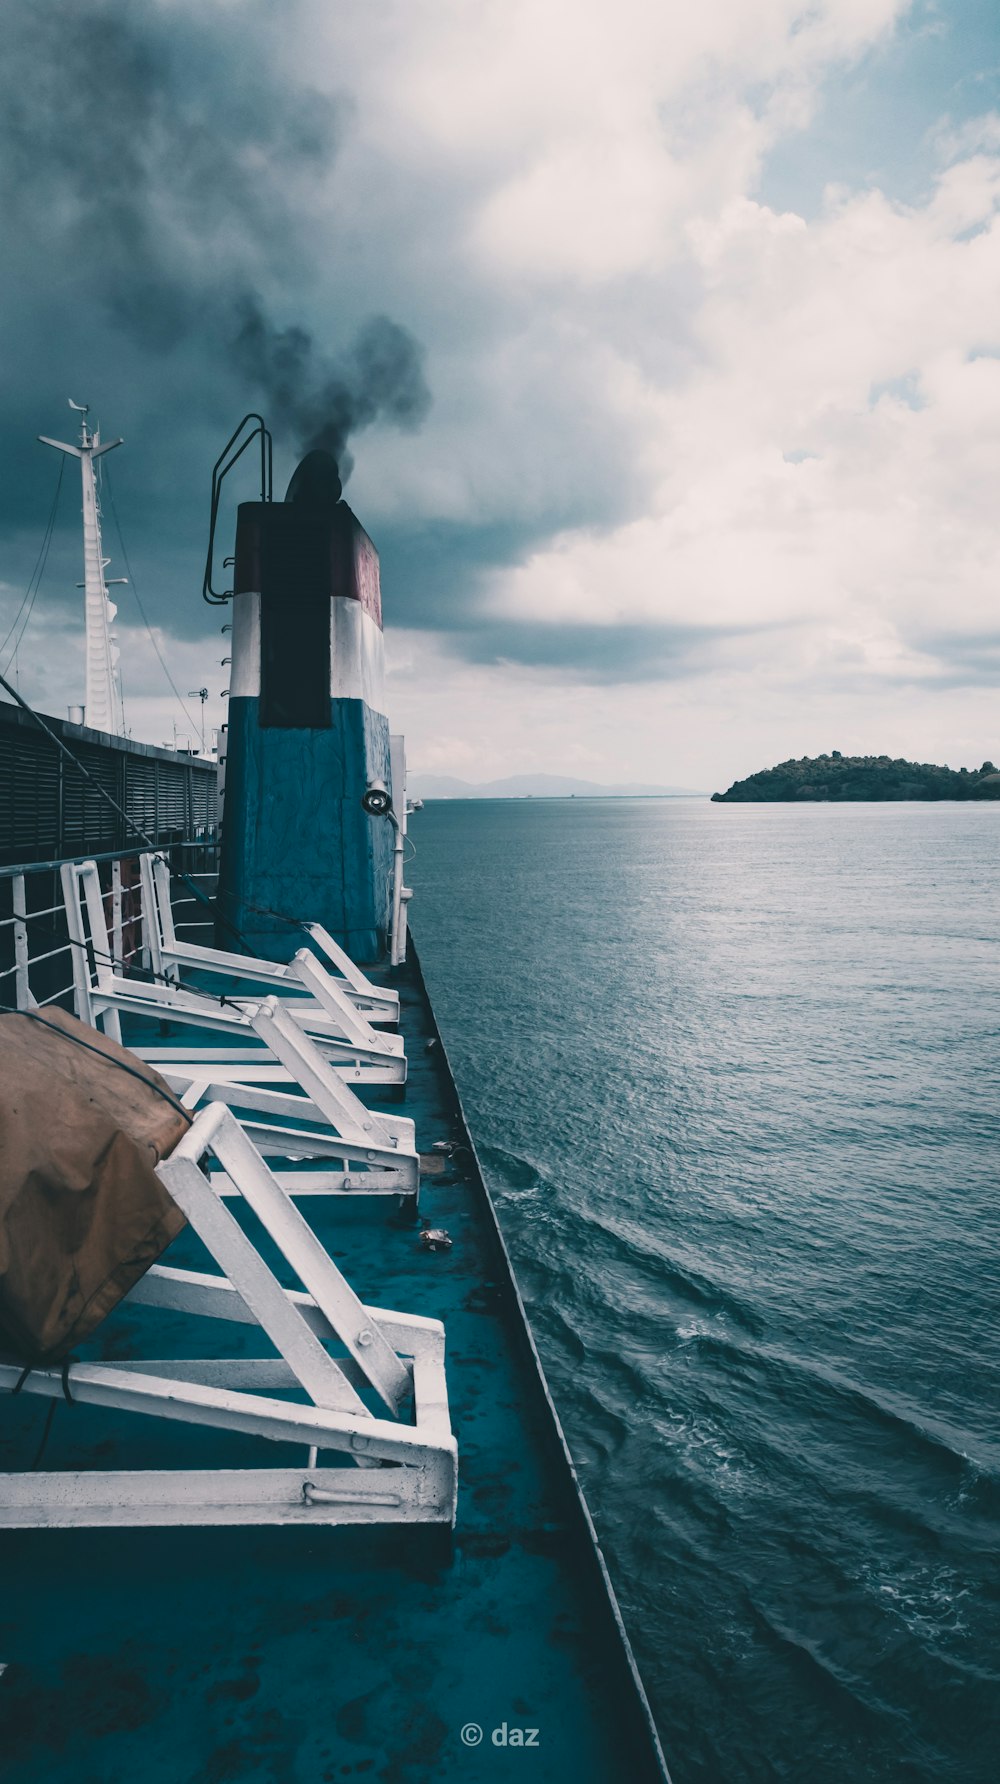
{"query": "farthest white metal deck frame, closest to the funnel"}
(347, 987)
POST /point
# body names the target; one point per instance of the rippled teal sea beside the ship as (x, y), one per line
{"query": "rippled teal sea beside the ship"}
(734, 1071)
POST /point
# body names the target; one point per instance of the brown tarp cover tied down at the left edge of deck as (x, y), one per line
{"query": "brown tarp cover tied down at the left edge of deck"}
(83, 1214)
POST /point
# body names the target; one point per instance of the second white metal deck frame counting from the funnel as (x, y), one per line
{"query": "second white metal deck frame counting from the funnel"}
(102, 993)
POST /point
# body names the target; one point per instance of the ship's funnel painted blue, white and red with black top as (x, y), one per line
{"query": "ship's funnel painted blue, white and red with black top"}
(307, 729)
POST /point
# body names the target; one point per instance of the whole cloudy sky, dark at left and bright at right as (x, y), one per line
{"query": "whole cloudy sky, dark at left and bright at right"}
(668, 336)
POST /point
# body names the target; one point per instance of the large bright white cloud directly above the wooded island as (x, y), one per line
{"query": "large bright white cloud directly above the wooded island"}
(887, 531)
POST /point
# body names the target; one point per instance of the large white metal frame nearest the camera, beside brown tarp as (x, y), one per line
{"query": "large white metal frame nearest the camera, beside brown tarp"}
(393, 1473)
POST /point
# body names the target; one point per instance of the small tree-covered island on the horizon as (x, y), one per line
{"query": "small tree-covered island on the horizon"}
(839, 777)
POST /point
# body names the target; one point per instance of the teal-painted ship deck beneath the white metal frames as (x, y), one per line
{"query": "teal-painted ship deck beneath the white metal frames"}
(295, 1656)
